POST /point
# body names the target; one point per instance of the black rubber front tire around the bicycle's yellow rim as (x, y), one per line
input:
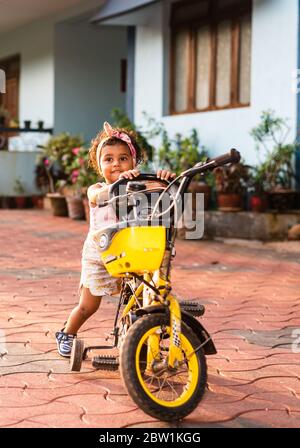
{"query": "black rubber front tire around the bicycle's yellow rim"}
(131, 380)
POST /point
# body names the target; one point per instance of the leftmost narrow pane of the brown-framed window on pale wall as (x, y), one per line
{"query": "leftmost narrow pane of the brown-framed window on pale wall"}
(181, 71)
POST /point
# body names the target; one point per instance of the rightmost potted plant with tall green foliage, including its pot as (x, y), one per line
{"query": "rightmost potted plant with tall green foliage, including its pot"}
(276, 160)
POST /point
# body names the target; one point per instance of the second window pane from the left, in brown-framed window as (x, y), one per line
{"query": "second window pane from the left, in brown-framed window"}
(203, 68)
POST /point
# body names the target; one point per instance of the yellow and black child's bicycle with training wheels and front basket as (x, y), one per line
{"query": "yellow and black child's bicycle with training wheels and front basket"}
(162, 346)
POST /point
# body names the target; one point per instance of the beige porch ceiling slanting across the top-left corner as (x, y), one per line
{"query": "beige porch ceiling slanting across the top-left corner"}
(15, 13)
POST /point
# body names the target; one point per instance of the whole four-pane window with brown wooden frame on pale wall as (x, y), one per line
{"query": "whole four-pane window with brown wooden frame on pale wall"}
(210, 55)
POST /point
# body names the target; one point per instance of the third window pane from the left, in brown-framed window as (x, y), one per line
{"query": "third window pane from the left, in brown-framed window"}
(223, 64)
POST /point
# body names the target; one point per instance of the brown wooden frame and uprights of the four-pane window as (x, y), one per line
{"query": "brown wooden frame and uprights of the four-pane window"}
(212, 19)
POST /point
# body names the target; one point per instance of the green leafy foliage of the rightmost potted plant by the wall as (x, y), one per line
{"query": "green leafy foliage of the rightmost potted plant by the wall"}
(276, 157)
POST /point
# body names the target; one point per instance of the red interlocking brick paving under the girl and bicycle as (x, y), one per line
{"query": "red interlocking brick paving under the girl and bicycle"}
(252, 299)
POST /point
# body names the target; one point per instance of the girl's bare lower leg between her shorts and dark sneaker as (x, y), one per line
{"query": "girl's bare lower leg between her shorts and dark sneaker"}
(88, 305)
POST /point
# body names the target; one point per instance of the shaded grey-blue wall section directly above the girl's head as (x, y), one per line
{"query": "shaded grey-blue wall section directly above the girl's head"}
(87, 75)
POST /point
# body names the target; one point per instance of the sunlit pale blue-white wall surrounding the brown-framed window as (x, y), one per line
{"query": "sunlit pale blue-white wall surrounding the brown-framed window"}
(274, 58)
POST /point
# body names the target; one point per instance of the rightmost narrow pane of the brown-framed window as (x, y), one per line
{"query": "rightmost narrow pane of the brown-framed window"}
(245, 61)
